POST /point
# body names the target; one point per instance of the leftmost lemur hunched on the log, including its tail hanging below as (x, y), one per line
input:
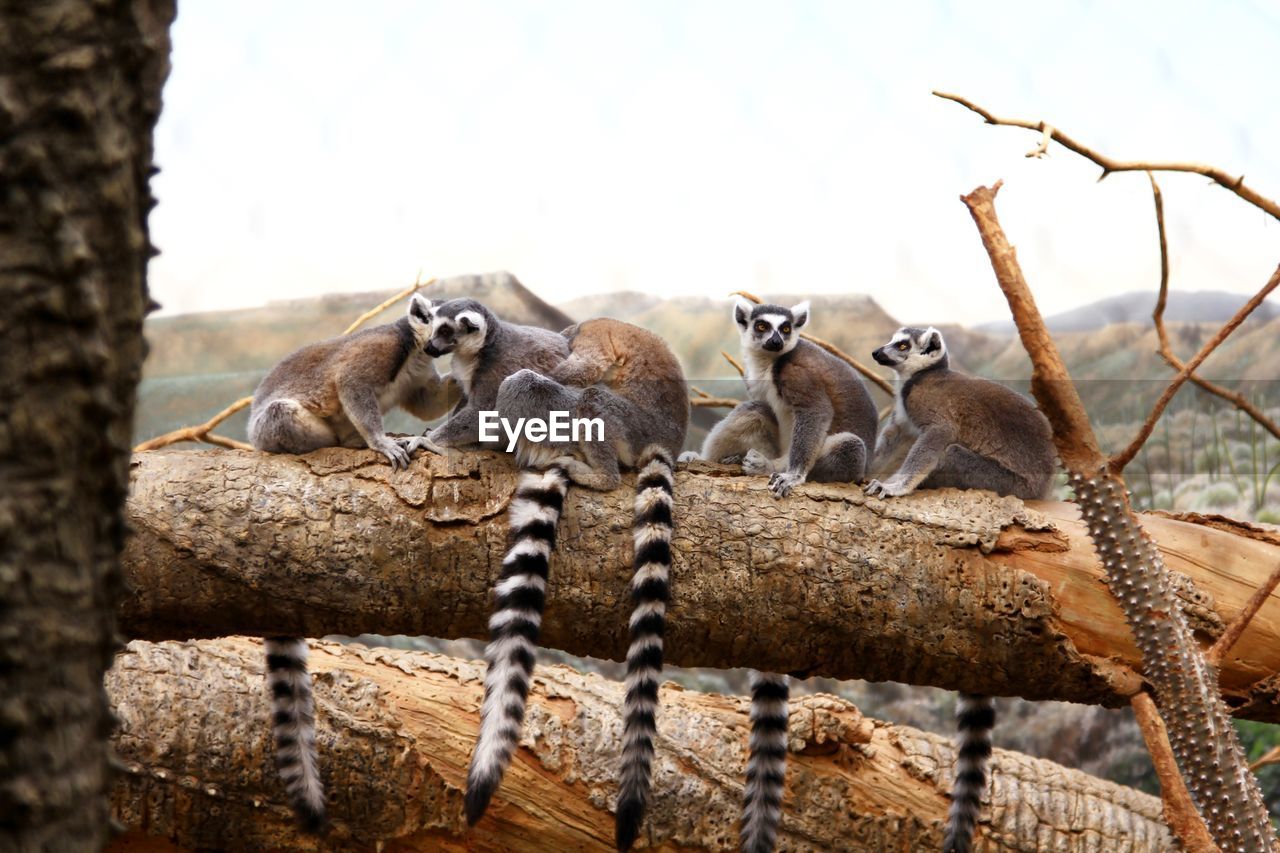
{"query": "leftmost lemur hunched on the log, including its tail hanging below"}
(333, 395)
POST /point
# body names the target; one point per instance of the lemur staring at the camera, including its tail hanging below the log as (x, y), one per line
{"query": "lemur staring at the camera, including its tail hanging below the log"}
(810, 418)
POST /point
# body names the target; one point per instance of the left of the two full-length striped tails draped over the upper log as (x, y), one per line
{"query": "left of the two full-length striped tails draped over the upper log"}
(518, 617)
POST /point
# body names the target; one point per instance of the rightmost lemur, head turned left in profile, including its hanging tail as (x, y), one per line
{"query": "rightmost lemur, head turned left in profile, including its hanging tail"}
(966, 434)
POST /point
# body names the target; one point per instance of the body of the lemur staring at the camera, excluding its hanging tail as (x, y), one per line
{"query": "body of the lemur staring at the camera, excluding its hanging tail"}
(824, 419)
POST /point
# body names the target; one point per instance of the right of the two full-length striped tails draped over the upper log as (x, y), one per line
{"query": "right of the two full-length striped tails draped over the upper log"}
(650, 597)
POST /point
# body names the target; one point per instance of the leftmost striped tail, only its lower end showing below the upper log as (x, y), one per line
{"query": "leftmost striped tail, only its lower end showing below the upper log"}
(295, 728)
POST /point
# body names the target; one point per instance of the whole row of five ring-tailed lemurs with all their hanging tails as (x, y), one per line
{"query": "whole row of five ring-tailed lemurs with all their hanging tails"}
(808, 417)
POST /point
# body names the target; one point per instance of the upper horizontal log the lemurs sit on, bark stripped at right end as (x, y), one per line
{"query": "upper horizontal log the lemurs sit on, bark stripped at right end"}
(950, 590)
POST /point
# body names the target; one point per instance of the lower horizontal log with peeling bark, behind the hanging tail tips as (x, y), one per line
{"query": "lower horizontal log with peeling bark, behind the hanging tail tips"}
(396, 732)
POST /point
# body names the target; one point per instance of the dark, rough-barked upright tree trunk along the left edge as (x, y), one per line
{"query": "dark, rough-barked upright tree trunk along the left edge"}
(80, 94)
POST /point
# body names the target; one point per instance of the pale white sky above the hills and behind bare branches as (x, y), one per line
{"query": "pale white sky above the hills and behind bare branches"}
(700, 148)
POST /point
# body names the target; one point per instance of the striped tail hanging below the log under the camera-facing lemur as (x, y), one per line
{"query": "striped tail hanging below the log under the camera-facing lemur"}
(767, 763)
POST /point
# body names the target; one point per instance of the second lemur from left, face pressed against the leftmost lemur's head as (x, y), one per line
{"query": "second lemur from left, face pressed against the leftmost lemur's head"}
(486, 352)
